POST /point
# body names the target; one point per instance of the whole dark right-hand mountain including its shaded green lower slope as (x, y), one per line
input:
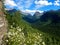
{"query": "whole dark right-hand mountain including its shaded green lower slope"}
(49, 23)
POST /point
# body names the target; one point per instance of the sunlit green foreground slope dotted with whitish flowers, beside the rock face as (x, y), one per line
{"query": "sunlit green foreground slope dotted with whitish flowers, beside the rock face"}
(21, 32)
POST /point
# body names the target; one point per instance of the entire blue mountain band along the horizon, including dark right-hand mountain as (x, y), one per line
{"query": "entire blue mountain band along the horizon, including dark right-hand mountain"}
(45, 16)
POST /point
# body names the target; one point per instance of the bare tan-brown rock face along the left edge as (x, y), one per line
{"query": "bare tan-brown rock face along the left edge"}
(3, 25)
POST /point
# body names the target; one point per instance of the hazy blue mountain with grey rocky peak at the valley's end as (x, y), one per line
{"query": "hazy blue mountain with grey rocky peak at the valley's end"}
(29, 18)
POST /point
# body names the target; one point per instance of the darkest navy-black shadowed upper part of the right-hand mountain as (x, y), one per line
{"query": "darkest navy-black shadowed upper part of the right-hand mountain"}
(54, 16)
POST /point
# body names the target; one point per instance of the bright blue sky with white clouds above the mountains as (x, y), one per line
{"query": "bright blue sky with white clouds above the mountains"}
(31, 6)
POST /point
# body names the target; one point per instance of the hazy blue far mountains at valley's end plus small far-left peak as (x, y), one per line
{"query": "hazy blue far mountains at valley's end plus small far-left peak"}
(27, 16)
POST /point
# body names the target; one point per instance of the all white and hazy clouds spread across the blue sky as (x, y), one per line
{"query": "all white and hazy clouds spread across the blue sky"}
(24, 5)
